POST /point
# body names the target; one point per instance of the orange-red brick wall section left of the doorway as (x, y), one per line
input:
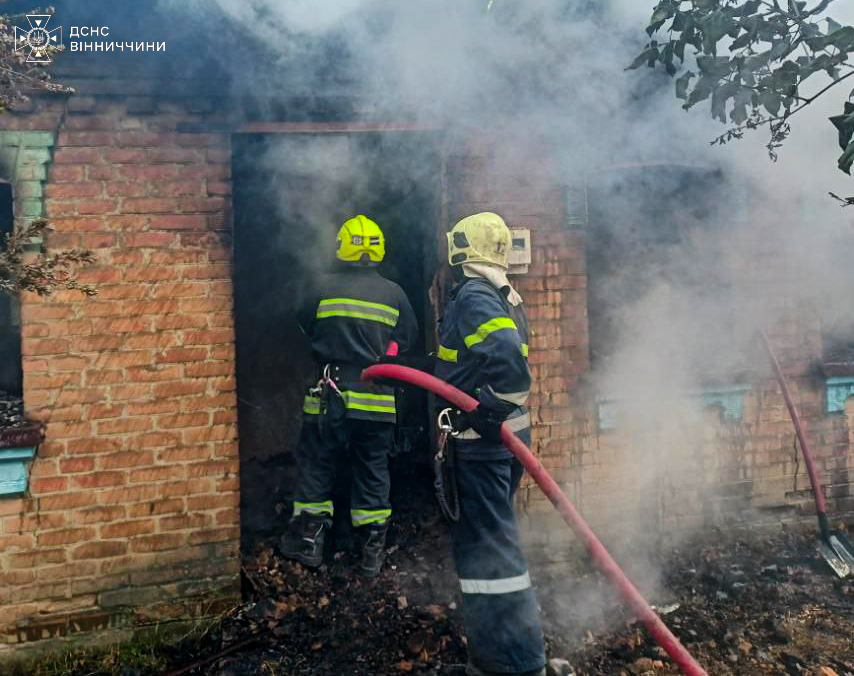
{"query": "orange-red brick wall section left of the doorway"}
(132, 515)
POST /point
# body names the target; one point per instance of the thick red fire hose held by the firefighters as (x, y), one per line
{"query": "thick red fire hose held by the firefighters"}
(598, 553)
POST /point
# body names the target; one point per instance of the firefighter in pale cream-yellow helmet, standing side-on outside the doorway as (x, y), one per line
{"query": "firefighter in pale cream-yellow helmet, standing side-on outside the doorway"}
(484, 352)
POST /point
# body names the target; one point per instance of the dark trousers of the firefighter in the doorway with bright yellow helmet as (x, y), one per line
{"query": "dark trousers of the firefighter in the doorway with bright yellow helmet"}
(323, 441)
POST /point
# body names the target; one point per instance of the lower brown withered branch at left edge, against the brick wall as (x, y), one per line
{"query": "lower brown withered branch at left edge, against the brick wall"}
(43, 273)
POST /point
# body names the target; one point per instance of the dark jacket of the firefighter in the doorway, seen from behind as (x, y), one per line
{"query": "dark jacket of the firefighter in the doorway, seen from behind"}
(351, 317)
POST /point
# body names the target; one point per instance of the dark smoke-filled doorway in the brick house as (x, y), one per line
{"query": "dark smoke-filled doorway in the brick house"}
(291, 194)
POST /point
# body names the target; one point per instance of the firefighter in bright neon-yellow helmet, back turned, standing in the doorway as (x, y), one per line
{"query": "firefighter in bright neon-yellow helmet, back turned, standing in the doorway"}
(351, 318)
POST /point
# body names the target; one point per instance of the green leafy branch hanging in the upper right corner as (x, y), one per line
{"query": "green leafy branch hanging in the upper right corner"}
(760, 62)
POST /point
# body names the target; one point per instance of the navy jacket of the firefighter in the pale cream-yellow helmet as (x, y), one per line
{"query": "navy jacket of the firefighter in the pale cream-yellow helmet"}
(483, 351)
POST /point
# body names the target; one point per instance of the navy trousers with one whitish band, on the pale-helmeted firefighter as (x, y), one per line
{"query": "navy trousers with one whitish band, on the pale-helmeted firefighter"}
(500, 613)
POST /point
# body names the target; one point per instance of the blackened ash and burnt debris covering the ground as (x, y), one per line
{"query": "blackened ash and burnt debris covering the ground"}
(759, 604)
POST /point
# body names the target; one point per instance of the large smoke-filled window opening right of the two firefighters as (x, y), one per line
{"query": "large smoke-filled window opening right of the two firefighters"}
(653, 236)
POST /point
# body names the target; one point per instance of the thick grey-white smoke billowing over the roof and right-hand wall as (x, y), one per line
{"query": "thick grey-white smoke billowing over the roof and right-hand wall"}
(758, 248)
